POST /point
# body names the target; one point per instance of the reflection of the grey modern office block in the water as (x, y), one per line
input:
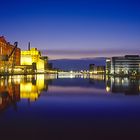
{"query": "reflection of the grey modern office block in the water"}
(123, 85)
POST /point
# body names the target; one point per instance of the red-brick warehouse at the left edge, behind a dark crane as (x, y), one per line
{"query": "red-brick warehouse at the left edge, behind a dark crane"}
(9, 55)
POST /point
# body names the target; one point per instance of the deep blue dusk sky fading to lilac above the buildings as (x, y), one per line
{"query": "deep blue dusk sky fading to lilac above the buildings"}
(73, 29)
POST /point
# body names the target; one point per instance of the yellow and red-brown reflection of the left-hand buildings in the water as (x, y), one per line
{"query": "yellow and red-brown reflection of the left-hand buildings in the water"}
(15, 88)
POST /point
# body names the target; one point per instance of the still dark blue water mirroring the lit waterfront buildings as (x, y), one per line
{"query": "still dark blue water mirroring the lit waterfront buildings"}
(43, 107)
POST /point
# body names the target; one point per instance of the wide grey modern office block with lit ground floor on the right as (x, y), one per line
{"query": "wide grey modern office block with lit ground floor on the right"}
(125, 65)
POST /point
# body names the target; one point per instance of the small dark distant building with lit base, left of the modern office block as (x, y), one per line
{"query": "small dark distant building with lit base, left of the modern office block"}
(93, 69)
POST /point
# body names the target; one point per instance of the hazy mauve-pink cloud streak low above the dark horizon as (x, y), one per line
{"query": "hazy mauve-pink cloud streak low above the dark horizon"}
(77, 54)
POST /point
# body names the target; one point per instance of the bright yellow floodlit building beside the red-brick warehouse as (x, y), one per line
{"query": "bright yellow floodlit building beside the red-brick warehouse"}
(32, 57)
